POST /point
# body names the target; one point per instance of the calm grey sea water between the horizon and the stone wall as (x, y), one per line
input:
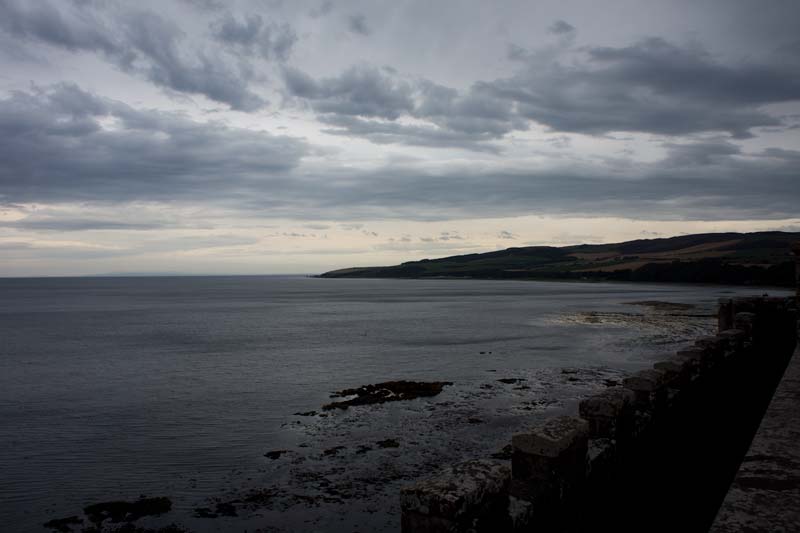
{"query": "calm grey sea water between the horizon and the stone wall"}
(115, 387)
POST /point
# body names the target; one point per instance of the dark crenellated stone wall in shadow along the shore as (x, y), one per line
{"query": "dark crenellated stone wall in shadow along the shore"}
(660, 448)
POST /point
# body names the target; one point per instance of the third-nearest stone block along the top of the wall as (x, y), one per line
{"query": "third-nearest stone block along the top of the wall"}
(608, 412)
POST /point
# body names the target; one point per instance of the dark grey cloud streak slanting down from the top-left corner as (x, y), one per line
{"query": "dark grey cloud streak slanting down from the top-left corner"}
(139, 42)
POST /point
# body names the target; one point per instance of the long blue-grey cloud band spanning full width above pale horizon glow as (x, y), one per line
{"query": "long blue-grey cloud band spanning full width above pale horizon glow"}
(63, 144)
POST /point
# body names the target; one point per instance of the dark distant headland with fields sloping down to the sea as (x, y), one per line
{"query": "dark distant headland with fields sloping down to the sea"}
(762, 258)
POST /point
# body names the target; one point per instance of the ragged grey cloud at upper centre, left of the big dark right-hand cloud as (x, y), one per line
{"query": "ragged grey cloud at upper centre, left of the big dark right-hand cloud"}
(367, 102)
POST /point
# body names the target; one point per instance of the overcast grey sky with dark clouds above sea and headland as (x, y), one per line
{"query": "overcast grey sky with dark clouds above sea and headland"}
(268, 136)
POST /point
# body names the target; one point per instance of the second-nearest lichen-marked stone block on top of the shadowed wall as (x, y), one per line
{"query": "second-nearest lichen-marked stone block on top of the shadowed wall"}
(549, 460)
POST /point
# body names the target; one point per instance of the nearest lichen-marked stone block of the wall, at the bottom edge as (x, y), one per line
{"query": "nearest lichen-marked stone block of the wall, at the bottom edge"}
(470, 496)
